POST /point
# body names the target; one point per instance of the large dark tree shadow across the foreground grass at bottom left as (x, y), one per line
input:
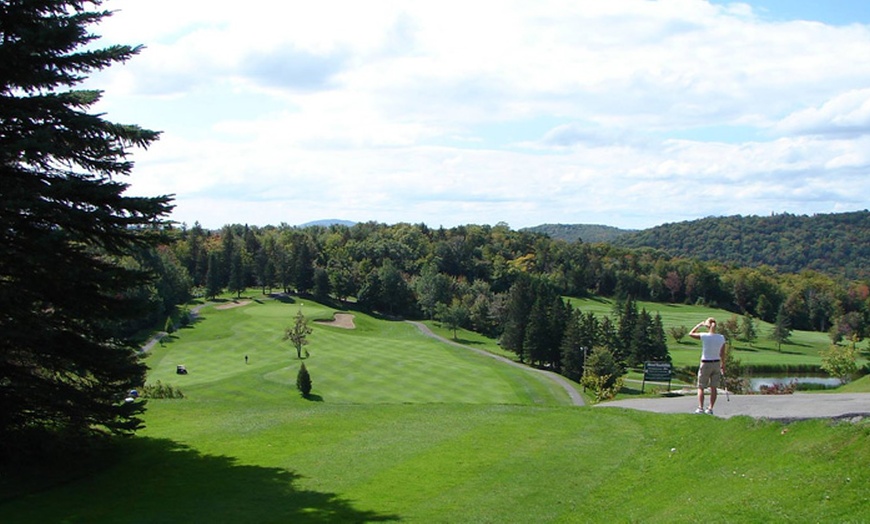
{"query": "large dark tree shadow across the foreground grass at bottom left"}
(158, 480)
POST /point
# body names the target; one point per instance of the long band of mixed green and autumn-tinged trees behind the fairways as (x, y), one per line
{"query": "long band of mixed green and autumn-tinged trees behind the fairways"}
(470, 276)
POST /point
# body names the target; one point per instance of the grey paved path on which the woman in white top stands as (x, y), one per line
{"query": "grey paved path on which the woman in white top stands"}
(797, 406)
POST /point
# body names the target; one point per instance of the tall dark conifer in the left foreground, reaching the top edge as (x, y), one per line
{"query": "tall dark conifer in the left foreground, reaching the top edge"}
(65, 228)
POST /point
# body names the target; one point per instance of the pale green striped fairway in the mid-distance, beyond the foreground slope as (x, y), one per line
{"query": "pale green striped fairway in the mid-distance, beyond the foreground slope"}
(378, 362)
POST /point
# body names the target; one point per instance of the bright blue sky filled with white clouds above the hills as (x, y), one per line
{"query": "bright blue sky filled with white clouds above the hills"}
(626, 113)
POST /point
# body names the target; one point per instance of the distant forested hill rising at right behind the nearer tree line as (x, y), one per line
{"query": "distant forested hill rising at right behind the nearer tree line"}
(836, 244)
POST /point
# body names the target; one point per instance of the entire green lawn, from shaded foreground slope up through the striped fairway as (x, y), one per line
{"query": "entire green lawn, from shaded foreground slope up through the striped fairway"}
(391, 436)
